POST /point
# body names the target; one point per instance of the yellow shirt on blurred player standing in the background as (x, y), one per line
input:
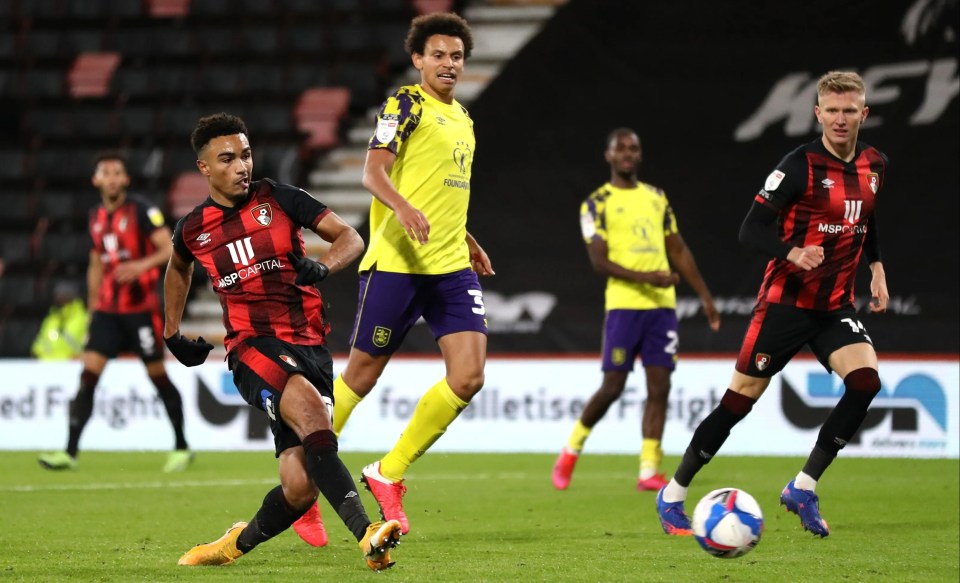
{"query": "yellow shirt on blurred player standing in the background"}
(634, 222)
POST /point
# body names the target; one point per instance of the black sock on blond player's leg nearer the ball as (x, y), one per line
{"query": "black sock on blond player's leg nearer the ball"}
(710, 435)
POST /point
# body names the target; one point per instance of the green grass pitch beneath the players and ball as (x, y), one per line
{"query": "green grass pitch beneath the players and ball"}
(475, 518)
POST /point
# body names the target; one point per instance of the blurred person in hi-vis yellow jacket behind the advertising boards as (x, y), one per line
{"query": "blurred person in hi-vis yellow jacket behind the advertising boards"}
(64, 328)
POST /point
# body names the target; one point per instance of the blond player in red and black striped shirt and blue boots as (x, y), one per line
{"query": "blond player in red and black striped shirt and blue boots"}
(815, 217)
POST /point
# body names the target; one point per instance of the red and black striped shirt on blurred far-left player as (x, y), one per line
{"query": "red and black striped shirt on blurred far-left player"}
(124, 235)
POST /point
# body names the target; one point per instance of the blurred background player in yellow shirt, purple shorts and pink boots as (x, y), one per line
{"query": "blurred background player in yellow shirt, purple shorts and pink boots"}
(632, 239)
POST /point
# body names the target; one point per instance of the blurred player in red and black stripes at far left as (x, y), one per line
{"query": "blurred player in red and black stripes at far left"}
(130, 243)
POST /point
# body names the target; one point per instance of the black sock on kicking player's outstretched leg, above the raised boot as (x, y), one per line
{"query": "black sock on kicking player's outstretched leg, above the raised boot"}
(334, 481)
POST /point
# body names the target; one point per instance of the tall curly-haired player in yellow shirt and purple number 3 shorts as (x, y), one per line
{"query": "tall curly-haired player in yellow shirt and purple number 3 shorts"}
(421, 260)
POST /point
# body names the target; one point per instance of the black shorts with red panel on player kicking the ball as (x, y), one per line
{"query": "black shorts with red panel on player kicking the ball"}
(261, 367)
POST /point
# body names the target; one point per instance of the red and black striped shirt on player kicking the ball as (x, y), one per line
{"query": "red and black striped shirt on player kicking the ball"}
(244, 251)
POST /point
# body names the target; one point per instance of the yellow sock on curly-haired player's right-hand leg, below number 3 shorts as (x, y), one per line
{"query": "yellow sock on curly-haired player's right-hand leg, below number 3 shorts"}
(435, 411)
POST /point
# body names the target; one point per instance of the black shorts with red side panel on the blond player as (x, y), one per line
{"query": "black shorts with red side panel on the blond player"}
(777, 332)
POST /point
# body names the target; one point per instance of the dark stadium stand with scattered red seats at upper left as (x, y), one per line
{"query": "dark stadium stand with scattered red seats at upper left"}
(81, 76)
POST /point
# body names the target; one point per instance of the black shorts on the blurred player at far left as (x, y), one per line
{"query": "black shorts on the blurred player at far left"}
(140, 332)
